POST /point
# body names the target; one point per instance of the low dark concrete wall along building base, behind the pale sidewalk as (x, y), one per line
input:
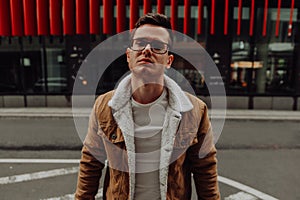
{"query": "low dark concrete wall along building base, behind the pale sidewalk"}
(233, 102)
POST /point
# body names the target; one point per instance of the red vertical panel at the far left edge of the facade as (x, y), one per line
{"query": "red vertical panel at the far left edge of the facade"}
(4, 18)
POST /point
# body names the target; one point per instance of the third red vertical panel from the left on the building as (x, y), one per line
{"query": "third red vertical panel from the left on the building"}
(29, 17)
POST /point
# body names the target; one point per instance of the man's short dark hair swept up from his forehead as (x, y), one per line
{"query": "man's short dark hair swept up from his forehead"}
(157, 20)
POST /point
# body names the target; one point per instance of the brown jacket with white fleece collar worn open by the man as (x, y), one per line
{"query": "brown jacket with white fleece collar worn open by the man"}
(187, 148)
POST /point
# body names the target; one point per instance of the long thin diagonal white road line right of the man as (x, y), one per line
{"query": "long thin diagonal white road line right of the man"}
(245, 188)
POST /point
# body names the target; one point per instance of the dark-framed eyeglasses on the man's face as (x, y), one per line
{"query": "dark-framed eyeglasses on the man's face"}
(156, 46)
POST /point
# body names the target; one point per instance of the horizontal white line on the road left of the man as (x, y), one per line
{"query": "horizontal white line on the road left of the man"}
(24, 160)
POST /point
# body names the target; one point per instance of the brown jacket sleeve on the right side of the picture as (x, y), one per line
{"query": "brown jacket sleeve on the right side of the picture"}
(202, 157)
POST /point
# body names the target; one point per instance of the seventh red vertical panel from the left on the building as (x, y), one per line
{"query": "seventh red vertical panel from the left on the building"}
(81, 17)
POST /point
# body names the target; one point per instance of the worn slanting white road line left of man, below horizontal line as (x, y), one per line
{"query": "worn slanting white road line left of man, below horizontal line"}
(37, 175)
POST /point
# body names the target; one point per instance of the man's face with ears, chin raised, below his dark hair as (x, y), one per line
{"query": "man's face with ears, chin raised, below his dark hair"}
(150, 61)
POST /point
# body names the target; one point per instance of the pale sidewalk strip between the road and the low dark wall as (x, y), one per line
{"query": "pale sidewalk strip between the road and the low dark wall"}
(84, 112)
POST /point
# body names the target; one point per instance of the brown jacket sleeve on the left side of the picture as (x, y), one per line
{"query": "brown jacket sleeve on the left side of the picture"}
(91, 163)
